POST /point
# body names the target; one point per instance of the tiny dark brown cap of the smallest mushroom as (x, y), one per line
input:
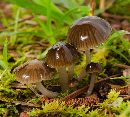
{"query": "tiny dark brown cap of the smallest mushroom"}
(93, 68)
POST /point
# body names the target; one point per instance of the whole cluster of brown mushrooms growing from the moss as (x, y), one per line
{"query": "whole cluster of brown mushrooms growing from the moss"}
(85, 34)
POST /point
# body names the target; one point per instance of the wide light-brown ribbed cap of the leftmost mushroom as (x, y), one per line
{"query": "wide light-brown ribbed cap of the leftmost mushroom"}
(32, 72)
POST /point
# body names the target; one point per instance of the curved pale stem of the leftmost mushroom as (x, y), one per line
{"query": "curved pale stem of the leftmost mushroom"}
(45, 91)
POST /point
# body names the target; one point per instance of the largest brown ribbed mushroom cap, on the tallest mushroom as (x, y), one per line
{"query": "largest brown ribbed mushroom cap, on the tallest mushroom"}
(88, 32)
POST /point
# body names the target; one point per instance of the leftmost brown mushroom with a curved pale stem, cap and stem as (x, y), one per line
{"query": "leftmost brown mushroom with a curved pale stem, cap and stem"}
(34, 72)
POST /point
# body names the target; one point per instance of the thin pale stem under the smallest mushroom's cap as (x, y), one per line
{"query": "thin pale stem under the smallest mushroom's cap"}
(92, 81)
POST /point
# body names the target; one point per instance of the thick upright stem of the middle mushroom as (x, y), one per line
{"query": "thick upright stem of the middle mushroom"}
(63, 78)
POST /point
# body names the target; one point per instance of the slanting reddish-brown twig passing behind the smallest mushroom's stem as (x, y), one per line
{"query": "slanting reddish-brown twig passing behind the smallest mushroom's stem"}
(82, 90)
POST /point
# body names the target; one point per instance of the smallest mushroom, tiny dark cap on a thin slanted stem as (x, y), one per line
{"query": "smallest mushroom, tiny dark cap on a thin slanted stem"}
(93, 69)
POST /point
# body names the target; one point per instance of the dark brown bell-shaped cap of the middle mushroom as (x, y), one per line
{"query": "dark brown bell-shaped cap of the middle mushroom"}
(60, 55)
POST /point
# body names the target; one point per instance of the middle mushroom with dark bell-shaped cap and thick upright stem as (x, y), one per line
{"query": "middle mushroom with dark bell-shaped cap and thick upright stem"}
(62, 56)
